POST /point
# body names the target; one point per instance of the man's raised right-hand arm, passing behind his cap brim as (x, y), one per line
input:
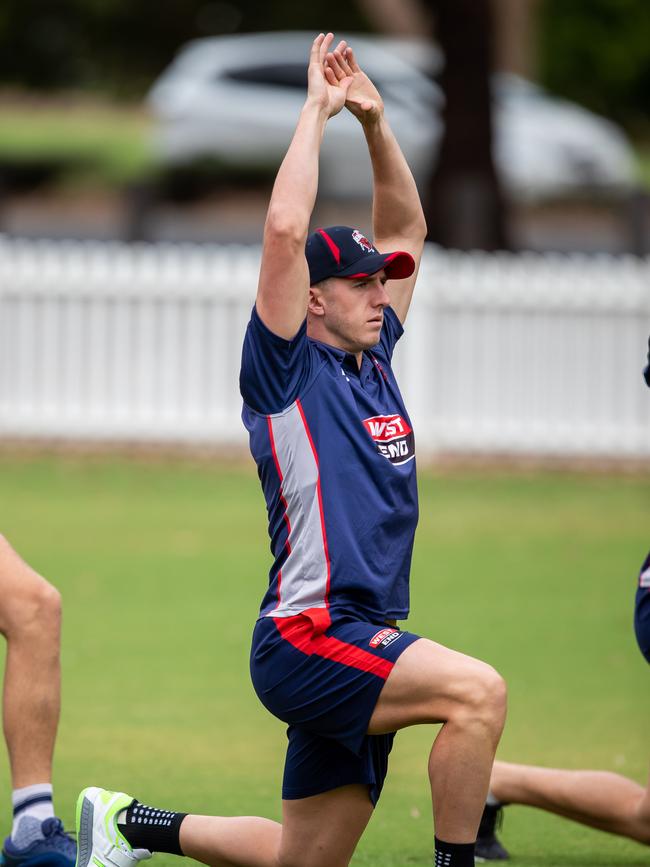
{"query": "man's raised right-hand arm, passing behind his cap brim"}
(397, 217)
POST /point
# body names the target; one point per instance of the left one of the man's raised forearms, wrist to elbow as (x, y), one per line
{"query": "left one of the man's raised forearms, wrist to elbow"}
(296, 184)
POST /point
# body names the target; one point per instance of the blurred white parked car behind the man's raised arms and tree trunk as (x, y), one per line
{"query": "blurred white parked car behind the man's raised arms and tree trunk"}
(236, 98)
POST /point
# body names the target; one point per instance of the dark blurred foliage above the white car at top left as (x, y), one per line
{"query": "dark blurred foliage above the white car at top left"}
(120, 46)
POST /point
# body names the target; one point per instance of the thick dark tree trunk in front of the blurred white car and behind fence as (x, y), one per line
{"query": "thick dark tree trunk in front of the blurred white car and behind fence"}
(465, 208)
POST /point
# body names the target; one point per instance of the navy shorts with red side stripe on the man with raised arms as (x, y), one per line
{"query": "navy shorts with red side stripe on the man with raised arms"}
(323, 679)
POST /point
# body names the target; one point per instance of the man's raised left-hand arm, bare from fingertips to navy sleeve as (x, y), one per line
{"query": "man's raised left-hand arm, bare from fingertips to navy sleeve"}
(283, 289)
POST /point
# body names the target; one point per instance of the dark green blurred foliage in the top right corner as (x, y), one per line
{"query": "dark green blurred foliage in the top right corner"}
(598, 53)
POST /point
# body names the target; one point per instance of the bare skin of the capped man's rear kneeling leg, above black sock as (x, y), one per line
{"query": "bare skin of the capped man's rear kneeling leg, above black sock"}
(321, 831)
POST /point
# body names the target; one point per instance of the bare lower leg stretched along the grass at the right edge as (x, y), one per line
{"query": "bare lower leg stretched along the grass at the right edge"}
(603, 800)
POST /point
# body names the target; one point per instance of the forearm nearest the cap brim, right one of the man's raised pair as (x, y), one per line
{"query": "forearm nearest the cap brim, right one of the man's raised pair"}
(397, 209)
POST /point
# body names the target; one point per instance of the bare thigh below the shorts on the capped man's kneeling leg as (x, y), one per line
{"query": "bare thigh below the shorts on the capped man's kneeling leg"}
(323, 831)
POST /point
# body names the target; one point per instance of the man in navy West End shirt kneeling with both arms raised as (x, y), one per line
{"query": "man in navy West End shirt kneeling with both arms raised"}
(335, 452)
